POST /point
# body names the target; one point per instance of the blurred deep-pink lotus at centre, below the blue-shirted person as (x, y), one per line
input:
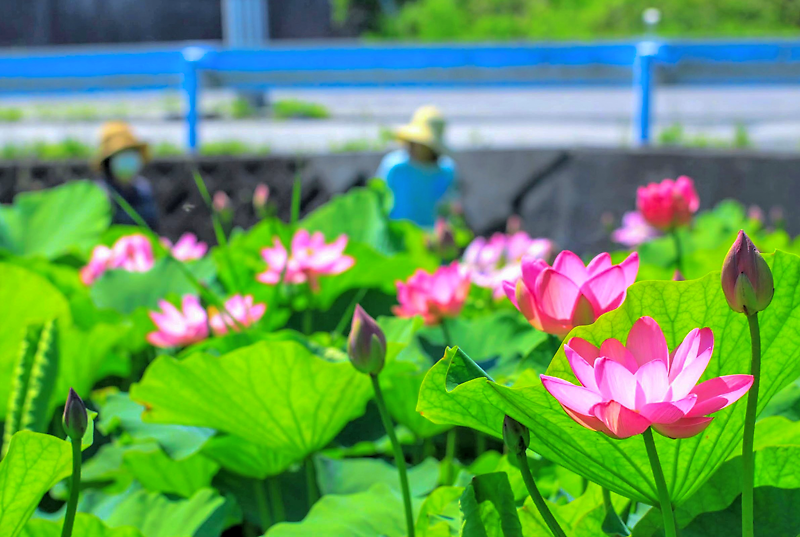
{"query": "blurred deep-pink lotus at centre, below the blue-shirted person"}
(433, 296)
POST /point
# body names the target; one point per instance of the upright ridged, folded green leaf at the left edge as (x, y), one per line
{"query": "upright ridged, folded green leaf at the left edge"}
(33, 382)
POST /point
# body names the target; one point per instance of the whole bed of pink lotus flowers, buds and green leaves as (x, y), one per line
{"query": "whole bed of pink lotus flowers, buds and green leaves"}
(344, 374)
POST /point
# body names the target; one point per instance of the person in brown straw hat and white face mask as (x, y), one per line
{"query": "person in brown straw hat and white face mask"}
(119, 161)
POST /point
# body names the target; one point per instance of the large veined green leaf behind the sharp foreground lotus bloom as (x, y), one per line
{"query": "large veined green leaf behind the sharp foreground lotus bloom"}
(622, 465)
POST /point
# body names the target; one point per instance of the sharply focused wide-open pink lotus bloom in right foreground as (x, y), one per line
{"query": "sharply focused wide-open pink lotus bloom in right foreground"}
(626, 389)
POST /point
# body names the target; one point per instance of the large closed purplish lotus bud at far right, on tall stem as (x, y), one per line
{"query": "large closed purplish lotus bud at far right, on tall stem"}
(746, 277)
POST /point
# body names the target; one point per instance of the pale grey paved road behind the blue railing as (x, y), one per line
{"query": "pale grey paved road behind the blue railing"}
(549, 117)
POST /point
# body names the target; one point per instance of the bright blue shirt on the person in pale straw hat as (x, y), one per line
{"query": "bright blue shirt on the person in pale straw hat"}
(418, 188)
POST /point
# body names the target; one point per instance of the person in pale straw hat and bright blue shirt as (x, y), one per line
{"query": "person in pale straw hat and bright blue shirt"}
(420, 175)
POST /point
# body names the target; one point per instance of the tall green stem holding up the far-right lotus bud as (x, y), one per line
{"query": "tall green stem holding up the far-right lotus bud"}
(750, 428)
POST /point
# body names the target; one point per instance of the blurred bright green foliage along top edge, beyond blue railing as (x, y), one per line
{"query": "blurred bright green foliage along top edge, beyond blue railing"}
(481, 20)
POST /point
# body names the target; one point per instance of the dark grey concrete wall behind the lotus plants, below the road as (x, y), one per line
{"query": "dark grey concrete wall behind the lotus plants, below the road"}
(562, 194)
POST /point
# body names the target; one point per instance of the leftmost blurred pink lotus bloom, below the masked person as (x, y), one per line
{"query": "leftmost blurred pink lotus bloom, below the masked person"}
(132, 253)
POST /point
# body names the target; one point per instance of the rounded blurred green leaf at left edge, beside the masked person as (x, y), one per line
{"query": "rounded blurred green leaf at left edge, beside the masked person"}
(55, 222)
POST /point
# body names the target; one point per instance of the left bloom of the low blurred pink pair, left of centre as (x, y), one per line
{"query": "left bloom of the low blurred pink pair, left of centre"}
(178, 328)
